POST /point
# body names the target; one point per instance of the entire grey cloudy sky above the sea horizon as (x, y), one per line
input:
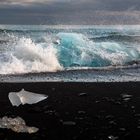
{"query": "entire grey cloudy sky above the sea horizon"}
(64, 12)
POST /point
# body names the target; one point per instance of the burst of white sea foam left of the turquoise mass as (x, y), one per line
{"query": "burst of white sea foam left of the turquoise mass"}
(26, 56)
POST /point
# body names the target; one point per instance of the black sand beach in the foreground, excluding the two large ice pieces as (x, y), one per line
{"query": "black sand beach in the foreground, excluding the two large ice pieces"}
(76, 111)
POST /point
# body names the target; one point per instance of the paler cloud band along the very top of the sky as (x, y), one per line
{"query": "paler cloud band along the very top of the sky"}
(112, 5)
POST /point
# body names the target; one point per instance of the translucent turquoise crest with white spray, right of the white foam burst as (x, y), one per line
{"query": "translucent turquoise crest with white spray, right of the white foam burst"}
(77, 49)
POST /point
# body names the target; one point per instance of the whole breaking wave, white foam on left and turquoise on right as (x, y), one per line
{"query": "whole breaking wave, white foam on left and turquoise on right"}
(63, 50)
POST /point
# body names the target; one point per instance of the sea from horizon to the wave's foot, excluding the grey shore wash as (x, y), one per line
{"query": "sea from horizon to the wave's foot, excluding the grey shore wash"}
(25, 49)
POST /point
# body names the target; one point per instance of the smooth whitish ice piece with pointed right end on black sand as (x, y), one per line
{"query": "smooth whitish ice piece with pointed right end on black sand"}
(25, 97)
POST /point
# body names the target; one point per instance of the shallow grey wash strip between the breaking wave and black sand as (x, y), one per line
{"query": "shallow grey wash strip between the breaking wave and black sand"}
(87, 76)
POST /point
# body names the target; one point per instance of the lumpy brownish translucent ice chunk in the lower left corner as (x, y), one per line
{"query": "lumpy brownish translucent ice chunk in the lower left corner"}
(17, 125)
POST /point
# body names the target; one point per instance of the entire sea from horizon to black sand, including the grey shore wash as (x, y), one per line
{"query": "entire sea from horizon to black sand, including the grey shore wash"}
(77, 53)
